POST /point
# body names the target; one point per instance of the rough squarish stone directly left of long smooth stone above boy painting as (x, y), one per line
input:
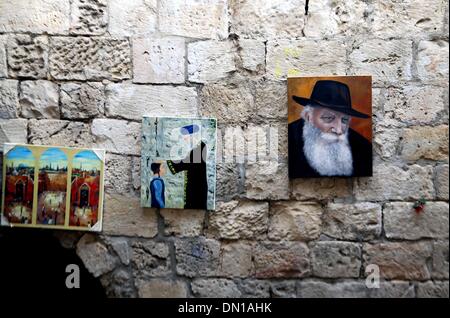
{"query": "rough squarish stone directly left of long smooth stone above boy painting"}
(82, 101)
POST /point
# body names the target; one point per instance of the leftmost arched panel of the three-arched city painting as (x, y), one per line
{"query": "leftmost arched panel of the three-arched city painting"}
(19, 185)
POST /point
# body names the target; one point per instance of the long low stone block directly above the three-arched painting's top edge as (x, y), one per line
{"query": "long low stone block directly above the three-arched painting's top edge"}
(60, 133)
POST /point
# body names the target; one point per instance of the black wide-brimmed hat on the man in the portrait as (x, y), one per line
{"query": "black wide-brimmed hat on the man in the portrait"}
(333, 95)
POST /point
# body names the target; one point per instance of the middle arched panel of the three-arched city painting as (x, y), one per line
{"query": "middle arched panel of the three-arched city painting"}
(52, 187)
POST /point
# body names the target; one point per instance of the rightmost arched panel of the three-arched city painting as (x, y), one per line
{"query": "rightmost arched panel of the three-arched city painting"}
(85, 189)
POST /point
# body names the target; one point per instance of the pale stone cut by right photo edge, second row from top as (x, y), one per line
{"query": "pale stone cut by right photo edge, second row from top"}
(432, 60)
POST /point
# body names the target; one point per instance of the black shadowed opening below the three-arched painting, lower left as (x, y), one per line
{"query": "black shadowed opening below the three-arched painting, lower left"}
(34, 261)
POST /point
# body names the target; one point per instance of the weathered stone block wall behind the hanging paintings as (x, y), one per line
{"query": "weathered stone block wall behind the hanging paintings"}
(83, 72)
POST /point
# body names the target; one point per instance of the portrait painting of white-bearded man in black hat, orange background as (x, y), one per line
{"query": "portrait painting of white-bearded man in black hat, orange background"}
(330, 126)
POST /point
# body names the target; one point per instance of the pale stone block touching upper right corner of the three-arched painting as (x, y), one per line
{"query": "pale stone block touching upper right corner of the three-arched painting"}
(117, 136)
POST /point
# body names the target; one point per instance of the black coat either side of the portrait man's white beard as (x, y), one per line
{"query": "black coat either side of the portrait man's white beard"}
(300, 168)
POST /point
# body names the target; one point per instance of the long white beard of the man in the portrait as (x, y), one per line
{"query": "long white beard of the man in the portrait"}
(328, 154)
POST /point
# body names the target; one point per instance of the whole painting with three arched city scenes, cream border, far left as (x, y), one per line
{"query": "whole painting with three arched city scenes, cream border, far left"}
(52, 187)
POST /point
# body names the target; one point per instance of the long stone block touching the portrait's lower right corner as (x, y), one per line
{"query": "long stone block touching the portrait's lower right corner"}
(394, 183)
